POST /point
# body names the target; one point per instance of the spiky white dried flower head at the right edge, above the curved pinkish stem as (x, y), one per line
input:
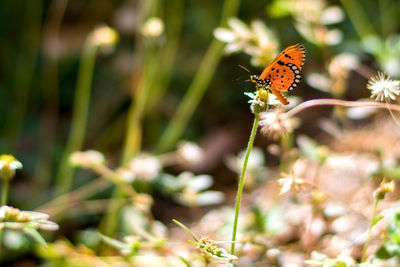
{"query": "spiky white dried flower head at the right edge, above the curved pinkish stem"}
(383, 88)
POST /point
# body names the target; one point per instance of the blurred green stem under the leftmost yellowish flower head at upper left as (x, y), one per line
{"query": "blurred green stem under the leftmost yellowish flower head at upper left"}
(79, 117)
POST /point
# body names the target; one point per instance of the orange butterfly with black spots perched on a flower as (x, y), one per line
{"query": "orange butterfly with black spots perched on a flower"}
(283, 74)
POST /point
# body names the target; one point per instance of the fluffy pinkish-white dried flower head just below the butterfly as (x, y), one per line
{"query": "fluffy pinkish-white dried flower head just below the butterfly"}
(275, 123)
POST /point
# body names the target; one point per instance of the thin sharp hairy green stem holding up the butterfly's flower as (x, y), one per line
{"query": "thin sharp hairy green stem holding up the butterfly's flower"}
(241, 180)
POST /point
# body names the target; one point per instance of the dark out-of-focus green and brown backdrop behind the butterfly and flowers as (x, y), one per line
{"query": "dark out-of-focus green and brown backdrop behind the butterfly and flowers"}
(127, 77)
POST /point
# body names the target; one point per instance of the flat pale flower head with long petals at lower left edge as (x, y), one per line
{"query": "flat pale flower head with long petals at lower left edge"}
(16, 219)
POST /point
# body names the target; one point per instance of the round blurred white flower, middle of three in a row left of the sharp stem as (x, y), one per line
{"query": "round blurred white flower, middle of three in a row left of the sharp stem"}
(145, 167)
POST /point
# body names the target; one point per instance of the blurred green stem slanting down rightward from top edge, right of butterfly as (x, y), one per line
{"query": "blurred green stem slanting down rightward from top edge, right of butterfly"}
(360, 20)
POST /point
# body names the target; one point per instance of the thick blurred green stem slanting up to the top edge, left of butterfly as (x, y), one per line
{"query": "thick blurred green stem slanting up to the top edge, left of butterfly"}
(198, 86)
